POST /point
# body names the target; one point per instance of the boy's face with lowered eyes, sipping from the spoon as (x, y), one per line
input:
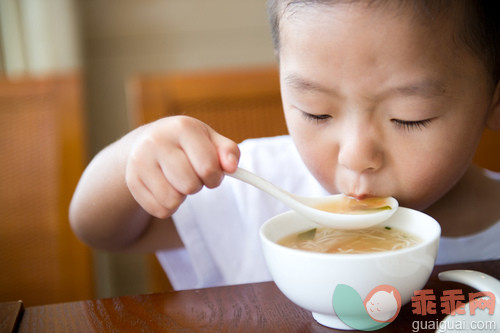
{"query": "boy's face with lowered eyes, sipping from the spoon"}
(379, 104)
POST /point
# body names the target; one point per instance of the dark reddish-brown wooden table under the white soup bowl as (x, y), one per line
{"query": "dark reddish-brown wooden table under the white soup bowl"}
(258, 307)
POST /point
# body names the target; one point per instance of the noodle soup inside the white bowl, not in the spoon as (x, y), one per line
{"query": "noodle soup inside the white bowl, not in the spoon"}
(330, 240)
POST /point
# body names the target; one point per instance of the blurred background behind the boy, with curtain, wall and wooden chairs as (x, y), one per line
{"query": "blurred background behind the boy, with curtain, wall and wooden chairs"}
(66, 68)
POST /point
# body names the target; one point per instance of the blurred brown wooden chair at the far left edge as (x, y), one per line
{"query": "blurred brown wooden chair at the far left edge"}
(41, 159)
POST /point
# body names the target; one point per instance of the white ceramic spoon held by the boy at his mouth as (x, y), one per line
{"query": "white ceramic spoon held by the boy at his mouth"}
(305, 206)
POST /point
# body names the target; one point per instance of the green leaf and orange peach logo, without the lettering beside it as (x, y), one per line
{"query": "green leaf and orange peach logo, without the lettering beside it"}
(380, 307)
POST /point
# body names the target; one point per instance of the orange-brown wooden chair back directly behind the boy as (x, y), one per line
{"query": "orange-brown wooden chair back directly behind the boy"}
(238, 103)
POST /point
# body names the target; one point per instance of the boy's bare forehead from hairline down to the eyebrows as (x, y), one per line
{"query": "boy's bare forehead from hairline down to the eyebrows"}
(353, 47)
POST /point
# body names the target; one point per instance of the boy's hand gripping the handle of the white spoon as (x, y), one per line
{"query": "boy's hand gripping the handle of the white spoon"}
(174, 157)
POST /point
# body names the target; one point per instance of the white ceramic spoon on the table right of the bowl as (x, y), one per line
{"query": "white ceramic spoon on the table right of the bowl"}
(481, 318)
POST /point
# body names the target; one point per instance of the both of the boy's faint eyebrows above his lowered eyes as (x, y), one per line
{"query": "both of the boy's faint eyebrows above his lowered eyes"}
(426, 88)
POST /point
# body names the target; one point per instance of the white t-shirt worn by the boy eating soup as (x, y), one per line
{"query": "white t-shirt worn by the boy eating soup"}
(220, 227)
